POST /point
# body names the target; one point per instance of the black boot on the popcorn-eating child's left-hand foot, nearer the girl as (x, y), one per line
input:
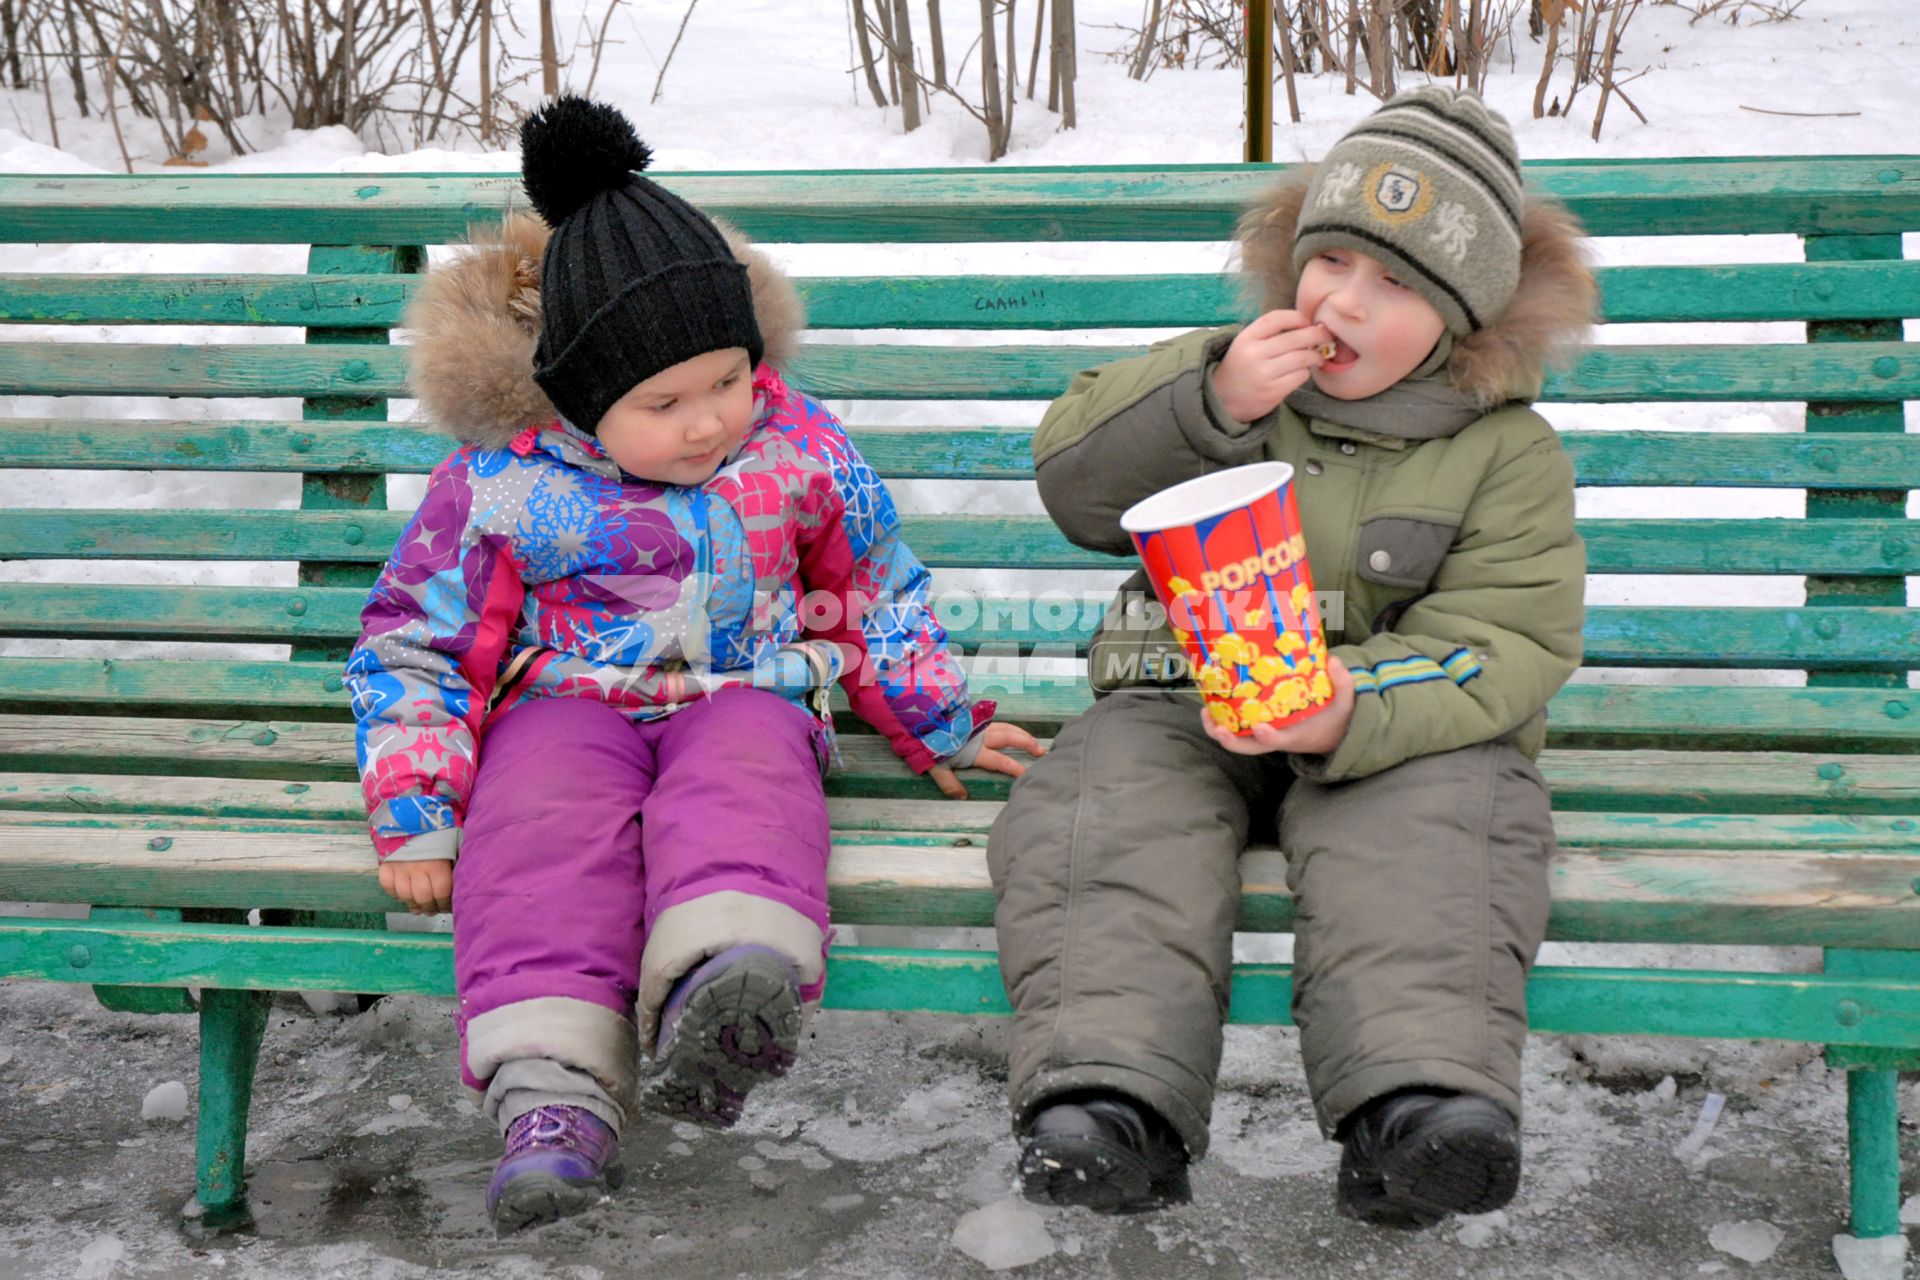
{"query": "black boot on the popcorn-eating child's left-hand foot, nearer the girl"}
(1103, 1152)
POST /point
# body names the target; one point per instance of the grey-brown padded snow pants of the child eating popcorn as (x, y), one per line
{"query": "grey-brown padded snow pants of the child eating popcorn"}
(1422, 897)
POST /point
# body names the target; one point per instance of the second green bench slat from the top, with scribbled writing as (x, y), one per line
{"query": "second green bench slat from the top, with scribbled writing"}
(969, 302)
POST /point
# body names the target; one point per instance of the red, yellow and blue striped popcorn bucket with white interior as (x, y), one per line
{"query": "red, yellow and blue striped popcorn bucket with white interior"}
(1230, 565)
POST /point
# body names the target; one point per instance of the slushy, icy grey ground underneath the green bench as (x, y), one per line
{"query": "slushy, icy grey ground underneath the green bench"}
(876, 1158)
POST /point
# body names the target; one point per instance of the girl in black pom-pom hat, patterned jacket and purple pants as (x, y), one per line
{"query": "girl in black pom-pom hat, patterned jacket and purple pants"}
(596, 665)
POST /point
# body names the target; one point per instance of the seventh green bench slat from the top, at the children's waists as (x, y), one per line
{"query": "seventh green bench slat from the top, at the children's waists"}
(1729, 719)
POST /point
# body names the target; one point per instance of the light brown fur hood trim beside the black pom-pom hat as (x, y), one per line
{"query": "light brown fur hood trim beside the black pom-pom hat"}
(477, 323)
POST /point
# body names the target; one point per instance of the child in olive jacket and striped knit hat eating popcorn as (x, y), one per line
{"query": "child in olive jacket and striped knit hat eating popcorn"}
(1414, 293)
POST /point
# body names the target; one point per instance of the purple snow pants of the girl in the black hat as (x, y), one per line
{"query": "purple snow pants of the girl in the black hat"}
(587, 826)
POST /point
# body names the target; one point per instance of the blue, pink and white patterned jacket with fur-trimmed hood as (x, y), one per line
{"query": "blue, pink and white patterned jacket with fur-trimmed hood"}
(537, 569)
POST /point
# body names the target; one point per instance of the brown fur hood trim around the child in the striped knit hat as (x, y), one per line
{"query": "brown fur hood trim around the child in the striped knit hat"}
(1550, 312)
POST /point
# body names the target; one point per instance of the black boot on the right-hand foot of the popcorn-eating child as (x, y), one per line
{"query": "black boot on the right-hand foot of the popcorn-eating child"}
(1418, 1156)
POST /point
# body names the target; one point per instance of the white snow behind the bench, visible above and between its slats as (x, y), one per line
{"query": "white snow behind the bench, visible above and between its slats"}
(767, 85)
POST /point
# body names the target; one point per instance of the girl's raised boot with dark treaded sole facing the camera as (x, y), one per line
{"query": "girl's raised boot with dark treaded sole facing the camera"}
(727, 1026)
